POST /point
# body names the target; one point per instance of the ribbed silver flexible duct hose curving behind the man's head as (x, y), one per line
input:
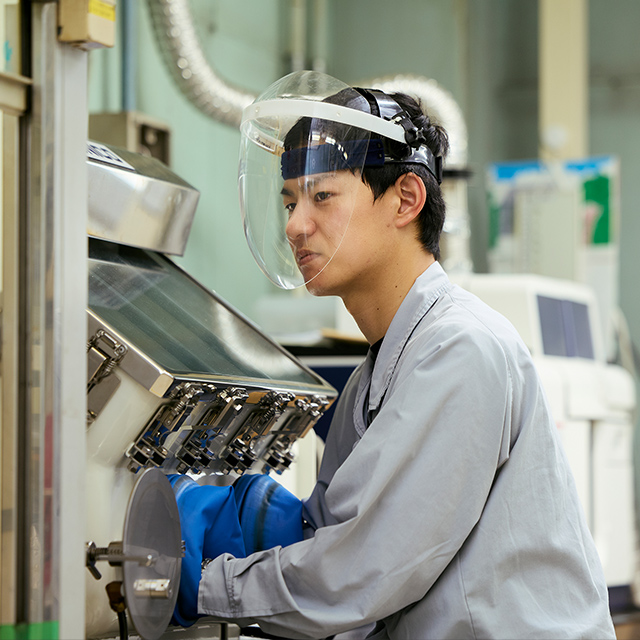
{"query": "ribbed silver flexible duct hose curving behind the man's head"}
(199, 82)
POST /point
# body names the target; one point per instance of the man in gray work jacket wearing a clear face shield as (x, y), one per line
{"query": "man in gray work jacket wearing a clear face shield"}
(444, 507)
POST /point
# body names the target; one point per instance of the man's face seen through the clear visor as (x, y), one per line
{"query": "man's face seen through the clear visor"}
(333, 229)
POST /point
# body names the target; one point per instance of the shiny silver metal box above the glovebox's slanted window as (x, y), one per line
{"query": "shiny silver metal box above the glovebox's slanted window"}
(142, 205)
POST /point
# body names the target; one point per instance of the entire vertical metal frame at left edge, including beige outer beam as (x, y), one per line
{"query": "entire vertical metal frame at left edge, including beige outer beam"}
(44, 321)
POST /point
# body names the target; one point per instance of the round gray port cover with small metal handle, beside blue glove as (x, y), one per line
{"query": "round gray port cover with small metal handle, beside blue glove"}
(152, 546)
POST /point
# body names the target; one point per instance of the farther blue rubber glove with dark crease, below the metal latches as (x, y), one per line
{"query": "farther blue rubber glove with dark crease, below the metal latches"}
(270, 516)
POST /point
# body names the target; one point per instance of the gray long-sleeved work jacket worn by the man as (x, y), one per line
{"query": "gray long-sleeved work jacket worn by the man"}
(444, 507)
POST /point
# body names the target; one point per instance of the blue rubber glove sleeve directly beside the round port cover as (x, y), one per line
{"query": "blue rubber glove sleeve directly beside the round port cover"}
(210, 527)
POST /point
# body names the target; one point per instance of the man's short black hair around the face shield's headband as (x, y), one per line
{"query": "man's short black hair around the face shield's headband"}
(380, 178)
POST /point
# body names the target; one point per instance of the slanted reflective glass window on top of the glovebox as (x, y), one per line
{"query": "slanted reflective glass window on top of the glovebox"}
(180, 325)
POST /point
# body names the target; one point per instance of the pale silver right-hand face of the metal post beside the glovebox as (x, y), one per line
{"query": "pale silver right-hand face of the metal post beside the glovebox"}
(69, 323)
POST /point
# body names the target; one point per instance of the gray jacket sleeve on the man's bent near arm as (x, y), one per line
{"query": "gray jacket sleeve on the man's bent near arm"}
(403, 501)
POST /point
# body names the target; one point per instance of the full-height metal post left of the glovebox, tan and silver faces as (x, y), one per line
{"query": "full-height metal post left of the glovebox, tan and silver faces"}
(53, 378)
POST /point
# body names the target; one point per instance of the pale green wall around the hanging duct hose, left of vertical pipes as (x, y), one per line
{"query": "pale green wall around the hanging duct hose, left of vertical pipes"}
(243, 41)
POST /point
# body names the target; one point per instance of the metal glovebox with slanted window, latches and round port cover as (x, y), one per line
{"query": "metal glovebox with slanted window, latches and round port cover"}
(178, 382)
